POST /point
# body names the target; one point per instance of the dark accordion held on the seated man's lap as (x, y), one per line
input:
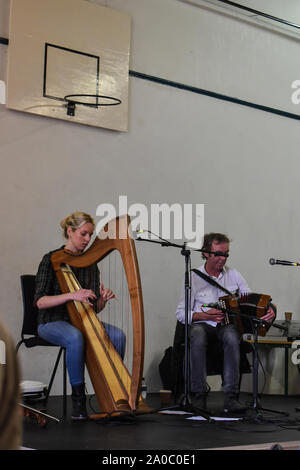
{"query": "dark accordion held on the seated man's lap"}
(245, 308)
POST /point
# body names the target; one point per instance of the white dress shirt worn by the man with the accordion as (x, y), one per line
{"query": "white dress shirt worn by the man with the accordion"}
(204, 293)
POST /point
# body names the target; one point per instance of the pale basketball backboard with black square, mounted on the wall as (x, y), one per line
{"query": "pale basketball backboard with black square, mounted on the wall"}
(69, 47)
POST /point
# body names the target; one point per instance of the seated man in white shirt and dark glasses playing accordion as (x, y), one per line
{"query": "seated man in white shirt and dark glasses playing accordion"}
(207, 324)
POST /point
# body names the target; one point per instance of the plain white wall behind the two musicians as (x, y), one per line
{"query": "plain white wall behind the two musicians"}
(242, 163)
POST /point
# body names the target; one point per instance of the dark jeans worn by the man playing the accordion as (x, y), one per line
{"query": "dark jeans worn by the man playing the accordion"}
(200, 334)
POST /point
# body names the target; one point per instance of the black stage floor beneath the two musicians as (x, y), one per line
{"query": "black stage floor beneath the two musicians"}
(157, 432)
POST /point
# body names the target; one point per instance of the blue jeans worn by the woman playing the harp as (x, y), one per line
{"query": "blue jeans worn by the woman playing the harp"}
(64, 334)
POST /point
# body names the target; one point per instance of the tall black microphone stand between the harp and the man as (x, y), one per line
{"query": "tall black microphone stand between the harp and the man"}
(185, 400)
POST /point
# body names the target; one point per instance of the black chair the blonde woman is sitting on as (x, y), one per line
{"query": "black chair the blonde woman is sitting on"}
(30, 338)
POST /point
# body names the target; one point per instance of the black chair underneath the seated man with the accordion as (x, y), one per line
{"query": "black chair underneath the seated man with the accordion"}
(214, 359)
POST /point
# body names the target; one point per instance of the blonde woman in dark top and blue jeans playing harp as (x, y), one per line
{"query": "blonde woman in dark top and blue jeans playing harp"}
(53, 318)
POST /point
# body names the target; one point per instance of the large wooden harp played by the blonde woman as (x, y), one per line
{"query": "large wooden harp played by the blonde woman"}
(116, 388)
